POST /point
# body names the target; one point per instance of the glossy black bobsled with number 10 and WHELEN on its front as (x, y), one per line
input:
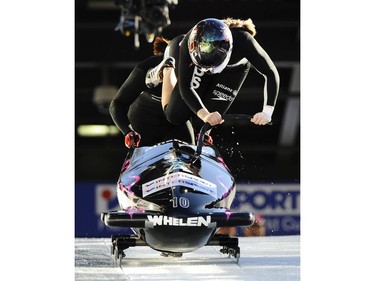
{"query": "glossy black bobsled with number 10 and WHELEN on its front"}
(175, 196)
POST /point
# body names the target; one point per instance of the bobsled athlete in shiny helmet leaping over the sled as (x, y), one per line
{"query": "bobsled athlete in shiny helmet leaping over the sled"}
(211, 63)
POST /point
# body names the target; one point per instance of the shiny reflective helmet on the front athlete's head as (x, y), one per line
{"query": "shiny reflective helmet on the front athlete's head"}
(210, 45)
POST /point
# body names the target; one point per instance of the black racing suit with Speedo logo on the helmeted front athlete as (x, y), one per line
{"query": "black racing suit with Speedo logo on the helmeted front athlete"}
(196, 89)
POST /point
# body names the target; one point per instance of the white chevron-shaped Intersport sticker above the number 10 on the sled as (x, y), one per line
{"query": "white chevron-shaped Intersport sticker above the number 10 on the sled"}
(179, 178)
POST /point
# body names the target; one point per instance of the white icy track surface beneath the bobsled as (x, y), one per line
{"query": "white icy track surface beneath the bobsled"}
(262, 259)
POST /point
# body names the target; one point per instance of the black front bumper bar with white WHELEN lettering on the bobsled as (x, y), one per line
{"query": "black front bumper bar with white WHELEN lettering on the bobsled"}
(201, 219)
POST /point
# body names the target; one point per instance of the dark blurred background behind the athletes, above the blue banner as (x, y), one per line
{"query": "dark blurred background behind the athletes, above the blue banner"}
(256, 154)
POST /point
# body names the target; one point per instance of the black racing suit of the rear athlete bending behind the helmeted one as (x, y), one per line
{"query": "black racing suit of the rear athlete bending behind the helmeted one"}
(140, 107)
